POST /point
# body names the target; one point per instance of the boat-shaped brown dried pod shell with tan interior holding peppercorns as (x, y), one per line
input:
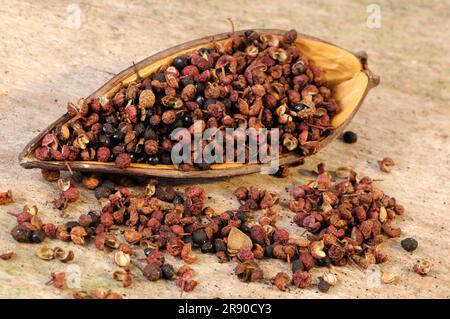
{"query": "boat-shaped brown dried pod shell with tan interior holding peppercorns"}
(346, 73)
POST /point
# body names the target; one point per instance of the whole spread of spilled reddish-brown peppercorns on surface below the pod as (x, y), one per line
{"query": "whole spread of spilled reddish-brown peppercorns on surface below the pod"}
(346, 223)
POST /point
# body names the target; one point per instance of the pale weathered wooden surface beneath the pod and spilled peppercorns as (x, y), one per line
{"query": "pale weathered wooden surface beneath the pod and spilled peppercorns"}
(45, 62)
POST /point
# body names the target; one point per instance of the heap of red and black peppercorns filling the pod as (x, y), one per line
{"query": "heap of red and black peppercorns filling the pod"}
(249, 81)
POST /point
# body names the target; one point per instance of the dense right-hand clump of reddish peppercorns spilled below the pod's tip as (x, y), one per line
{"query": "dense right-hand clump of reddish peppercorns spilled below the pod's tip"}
(347, 217)
